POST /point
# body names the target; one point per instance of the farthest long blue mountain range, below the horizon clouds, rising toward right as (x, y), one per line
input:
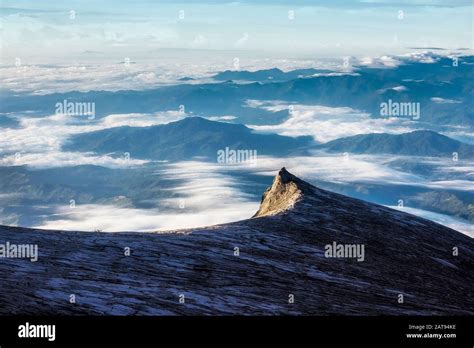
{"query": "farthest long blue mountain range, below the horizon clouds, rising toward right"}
(445, 93)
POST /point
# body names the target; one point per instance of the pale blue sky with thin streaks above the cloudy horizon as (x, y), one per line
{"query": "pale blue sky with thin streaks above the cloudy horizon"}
(47, 31)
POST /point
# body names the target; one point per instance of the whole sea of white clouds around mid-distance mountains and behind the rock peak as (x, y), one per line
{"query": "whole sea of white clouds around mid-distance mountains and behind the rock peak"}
(212, 194)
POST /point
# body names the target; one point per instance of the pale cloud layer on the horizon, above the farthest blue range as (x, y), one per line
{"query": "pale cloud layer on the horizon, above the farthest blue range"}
(167, 69)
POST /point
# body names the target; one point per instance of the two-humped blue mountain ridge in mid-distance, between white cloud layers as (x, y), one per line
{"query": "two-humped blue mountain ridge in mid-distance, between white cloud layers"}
(199, 137)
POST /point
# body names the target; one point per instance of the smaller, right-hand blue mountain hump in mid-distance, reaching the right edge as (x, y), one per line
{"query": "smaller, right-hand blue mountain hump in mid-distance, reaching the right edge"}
(417, 143)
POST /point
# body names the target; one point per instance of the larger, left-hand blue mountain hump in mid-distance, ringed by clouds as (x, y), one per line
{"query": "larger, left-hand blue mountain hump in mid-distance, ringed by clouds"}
(185, 139)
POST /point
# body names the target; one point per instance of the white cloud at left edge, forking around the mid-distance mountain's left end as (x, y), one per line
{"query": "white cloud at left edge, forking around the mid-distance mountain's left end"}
(38, 141)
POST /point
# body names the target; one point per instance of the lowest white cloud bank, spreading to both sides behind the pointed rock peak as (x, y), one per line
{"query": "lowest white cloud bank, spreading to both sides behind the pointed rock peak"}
(211, 194)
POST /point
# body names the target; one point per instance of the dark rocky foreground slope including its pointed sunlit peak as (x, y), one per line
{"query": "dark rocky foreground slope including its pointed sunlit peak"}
(280, 256)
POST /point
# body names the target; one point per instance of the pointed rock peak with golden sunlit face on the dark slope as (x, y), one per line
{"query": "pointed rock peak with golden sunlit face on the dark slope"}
(286, 189)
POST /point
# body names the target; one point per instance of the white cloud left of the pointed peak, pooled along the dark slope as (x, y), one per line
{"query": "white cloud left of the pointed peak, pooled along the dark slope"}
(208, 197)
